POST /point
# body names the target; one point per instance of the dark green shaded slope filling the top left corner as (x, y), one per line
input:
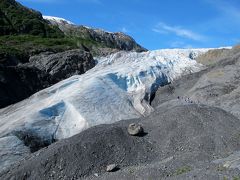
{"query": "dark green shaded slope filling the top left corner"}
(17, 19)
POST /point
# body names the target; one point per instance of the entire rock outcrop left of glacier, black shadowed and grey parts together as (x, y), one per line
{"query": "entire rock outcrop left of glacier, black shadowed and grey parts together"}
(20, 80)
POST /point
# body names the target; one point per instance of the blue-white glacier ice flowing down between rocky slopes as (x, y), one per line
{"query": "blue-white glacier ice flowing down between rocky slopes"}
(119, 87)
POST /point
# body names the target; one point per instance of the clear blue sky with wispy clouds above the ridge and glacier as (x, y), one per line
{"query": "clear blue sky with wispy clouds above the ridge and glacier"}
(154, 24)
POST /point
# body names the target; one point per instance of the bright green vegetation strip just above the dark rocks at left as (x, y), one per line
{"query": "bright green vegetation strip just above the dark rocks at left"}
(24, 45)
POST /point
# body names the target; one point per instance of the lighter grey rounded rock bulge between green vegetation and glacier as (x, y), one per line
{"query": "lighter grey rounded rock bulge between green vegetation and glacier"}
(63, 65)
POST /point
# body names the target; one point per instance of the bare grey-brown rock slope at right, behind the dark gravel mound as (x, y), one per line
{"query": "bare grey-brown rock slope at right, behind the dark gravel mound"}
(216, 86)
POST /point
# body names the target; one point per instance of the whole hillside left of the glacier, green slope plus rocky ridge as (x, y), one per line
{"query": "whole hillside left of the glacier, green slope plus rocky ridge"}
(24, 31)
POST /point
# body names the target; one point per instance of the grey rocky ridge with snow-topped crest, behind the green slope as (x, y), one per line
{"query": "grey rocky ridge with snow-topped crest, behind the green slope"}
(106, 39)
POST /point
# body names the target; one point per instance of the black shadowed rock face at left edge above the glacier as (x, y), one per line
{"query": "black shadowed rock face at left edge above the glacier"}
(19, 82)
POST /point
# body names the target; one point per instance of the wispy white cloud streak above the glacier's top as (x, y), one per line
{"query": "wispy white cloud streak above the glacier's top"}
(163, 28)
